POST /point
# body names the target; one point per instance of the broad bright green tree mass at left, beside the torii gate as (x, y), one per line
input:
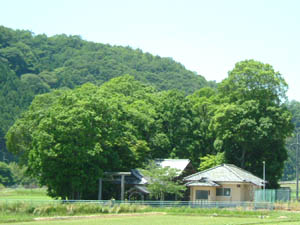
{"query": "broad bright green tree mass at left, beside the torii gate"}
(69, 138)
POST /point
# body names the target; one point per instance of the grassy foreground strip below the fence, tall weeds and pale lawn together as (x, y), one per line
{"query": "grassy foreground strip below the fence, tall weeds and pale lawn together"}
(20, 213)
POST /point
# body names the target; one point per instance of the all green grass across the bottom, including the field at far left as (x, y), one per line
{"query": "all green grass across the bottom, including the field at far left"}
(15, 212)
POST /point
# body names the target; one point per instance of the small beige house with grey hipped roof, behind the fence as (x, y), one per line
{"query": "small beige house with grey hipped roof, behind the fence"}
(225, 182)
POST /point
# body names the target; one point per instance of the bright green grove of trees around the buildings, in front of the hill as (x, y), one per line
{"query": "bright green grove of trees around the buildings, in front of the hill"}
(68, 138)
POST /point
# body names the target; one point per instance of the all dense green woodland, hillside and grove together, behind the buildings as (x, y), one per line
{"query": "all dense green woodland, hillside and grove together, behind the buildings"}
(69, 112)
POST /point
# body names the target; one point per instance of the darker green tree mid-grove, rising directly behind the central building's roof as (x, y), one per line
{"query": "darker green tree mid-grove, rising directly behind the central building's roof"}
(173, 125)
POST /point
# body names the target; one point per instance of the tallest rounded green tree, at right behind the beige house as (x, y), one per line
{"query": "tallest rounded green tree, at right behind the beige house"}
(252, 123)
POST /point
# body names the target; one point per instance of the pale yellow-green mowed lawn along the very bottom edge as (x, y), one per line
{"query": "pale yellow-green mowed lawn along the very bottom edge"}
(165, 220)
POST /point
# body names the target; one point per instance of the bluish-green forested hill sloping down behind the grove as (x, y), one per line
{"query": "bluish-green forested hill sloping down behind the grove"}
(34, 64)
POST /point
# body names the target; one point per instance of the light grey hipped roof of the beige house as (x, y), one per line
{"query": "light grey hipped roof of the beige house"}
(226, 173)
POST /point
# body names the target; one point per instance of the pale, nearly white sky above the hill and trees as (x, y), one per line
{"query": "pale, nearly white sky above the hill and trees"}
(206, 36)
